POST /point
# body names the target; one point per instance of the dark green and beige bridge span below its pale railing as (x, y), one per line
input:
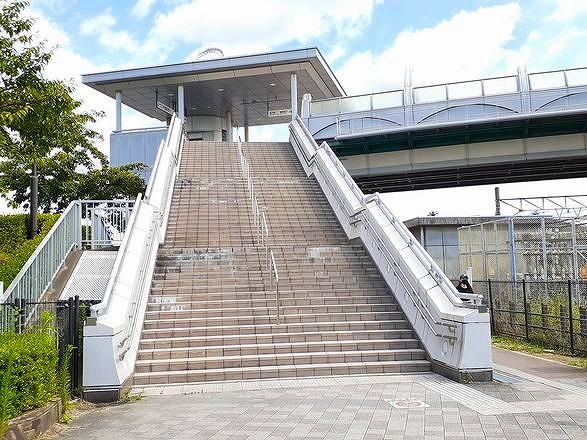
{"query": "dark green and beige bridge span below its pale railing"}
(540, 148)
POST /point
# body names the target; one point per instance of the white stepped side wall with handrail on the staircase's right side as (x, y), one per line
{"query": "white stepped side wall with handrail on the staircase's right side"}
(453, 327)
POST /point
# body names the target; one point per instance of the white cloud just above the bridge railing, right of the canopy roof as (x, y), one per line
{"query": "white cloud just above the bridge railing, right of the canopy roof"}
(466, 46)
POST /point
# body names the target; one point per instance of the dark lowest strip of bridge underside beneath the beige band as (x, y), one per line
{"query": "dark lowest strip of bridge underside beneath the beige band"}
(510, 172)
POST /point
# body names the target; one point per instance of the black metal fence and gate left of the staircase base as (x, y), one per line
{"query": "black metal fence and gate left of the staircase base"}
(66, 317)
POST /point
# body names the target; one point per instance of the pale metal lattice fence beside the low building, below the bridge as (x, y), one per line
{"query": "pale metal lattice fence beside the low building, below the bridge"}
(525, 248)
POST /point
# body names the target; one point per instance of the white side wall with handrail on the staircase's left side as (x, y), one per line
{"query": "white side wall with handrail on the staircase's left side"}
(111, 336)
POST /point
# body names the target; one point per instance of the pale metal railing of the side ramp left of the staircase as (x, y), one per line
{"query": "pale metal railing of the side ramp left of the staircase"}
(85, 224)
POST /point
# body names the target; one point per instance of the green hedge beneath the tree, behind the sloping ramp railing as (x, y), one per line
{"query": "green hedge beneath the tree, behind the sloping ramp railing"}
(15, 249)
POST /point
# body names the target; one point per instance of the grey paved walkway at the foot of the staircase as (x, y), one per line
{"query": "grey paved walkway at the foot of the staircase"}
(536, 399)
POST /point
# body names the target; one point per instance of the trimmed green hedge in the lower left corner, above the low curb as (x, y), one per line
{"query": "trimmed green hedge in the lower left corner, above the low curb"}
(28, 372)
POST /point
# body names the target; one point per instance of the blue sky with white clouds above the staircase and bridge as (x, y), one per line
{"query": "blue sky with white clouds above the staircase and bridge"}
(368, 43)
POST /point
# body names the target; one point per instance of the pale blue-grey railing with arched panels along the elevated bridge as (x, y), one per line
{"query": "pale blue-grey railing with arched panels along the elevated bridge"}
(493, 98)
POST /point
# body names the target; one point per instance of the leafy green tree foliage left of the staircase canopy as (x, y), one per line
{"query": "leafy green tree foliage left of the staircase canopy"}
(43, 129)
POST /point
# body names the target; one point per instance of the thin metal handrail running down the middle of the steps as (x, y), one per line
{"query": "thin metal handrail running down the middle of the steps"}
(261, 228)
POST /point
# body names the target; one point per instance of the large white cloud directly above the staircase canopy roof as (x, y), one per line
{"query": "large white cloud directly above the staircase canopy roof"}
(256, 25)
